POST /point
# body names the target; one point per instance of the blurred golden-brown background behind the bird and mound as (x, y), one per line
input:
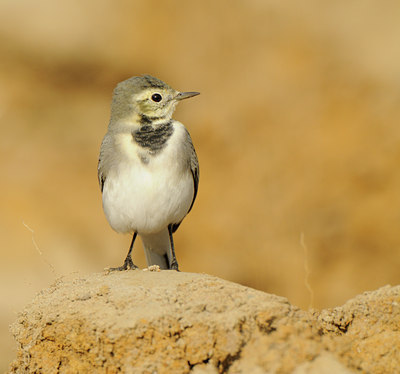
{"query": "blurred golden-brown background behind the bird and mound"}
(296, 129)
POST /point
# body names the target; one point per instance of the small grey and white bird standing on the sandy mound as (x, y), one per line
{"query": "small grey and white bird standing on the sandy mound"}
(148, 169)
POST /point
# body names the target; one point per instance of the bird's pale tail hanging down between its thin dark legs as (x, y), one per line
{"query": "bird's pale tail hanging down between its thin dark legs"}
(157, 248)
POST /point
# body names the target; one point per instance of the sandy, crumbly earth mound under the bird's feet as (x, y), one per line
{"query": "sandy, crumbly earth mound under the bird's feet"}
(168, 322)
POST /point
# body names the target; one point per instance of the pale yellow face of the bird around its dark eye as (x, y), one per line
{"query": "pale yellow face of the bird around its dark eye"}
(156, 102)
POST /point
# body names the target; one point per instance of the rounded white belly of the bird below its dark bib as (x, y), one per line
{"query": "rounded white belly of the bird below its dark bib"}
(146, 198)
